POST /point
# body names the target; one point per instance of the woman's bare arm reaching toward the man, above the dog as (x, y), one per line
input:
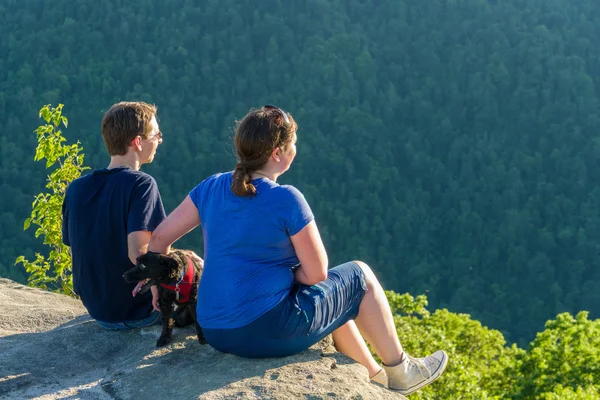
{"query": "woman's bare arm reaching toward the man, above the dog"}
(182, 220)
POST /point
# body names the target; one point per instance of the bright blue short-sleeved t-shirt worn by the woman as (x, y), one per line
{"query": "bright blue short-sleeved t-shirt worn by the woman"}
(249, 259)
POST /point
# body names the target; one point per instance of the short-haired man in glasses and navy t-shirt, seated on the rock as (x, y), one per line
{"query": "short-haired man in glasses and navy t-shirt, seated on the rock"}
(109, 215)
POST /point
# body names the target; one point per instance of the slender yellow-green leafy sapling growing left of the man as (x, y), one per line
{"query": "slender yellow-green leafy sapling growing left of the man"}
(53, 272)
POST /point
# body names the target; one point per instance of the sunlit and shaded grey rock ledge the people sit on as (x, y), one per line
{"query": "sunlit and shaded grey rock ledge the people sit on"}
(51, 349)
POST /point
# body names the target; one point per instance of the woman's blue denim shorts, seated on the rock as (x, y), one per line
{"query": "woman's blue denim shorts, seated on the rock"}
(300, 320)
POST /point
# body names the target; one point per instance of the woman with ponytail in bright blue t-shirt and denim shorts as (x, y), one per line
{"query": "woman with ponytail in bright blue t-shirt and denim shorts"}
(266, 290)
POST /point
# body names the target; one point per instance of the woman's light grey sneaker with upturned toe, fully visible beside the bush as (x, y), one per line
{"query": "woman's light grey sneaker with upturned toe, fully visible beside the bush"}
(414, 373)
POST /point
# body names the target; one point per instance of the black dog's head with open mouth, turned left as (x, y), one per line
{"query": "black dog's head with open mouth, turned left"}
(152, 269)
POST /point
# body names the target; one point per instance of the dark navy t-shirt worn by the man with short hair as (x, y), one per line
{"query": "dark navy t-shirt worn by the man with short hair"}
(99, 211)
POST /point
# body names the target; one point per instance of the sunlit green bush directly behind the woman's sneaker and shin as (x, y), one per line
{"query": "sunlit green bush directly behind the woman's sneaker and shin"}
(480, 366)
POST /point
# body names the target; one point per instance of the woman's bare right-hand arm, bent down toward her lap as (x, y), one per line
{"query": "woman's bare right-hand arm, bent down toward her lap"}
(311, 254)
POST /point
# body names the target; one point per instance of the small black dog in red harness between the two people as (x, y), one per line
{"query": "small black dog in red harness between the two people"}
(177, 276)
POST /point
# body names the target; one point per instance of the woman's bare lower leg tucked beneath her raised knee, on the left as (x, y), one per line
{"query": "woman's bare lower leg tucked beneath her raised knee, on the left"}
(348, 340)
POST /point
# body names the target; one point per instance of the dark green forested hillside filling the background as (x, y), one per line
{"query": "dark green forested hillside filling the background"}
(454, 145)
